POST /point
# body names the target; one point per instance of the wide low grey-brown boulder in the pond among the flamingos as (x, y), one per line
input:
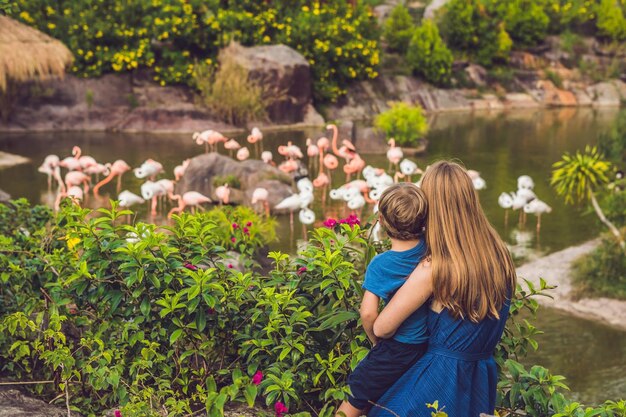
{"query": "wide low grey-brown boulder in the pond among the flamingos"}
(202, 171)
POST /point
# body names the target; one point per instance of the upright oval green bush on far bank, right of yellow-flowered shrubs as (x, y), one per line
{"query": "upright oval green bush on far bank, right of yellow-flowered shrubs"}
(429, 56)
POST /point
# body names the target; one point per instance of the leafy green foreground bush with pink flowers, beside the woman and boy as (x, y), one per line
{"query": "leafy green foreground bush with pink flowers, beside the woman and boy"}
(155, 321)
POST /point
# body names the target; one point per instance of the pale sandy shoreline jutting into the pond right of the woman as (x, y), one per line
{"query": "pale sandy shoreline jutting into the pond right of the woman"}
(555, 269)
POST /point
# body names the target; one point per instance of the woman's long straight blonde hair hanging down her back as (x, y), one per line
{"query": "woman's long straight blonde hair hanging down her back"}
(472, 270)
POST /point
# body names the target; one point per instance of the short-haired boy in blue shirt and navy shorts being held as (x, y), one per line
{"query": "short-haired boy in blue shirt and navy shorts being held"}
(402, 213)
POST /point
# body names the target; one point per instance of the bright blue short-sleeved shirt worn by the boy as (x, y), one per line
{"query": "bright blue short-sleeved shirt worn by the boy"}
(385, 274)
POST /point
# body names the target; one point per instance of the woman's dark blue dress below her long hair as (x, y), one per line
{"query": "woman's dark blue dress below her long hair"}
(458, 370)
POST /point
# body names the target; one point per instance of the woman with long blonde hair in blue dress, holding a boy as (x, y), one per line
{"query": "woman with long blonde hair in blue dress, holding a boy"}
(471, 278)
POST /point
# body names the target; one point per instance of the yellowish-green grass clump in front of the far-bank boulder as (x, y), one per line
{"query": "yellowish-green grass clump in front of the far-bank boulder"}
(230, 94)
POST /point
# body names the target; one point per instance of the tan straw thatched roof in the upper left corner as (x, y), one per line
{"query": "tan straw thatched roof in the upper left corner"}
(27, 54)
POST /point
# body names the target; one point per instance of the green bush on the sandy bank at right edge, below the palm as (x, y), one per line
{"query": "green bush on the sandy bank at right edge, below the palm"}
(601, 273)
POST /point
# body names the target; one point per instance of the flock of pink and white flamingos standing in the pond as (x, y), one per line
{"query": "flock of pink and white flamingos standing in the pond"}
(364, 184)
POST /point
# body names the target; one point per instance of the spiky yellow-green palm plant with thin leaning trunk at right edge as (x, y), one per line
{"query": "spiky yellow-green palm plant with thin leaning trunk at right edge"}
(578, 176)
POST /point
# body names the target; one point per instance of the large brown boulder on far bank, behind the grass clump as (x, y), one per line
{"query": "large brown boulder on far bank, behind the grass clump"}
(281, 69)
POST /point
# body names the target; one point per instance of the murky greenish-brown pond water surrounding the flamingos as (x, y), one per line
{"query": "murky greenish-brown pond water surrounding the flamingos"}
(501, 146)
